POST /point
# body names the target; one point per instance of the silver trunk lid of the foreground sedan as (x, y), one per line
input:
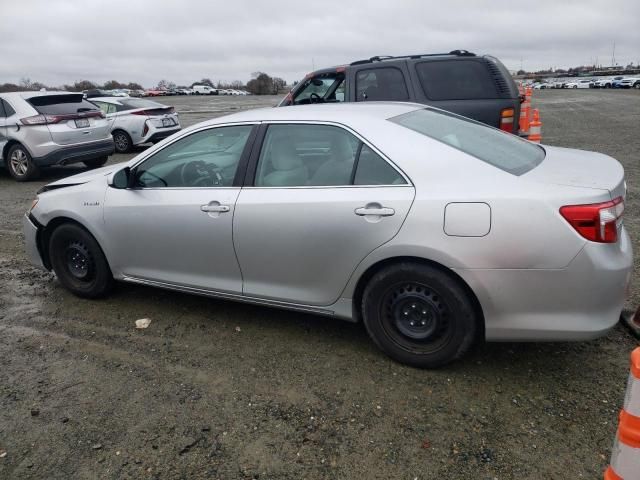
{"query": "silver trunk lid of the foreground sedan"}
(579, 168)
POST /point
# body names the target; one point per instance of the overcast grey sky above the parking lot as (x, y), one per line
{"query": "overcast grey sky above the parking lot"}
(61, 41)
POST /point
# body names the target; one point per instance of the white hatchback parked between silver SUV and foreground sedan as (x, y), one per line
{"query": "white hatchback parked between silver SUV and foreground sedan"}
(135, 121)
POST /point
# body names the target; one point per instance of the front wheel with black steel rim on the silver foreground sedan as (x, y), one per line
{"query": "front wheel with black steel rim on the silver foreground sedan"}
(78, 262)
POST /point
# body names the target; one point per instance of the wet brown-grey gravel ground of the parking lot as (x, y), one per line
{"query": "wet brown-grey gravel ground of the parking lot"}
(215, 389)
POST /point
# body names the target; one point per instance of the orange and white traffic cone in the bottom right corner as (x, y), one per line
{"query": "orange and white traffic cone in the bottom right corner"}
(625, 457)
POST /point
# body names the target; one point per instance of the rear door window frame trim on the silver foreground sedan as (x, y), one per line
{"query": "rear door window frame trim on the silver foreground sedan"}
(249, 181)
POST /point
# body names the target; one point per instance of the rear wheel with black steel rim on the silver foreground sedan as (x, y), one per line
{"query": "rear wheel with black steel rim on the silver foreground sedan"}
(419, 315)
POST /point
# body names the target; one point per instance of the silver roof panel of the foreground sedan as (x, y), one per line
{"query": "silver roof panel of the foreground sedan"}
(334, 112)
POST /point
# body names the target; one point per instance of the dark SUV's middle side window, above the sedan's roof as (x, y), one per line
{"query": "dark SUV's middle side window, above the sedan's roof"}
(384, 83)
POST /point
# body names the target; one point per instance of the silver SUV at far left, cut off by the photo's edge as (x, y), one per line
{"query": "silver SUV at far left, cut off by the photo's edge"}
(41, 129)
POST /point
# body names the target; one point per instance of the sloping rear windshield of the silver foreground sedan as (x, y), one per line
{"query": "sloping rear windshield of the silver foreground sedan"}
(502, 150)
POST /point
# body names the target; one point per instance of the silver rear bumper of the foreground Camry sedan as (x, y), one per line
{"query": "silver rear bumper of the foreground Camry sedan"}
(581, 302)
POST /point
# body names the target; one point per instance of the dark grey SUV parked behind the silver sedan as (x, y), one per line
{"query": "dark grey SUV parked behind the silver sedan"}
(478, 87)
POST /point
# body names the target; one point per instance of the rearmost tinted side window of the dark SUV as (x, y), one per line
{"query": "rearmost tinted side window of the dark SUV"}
(456, 80)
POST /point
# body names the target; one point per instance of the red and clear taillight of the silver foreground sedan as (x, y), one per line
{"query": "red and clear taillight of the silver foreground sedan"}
(597, 222)
